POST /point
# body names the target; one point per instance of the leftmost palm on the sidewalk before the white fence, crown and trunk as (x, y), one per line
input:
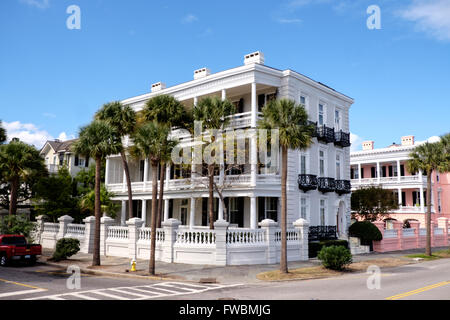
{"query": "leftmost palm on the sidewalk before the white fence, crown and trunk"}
(98, 140)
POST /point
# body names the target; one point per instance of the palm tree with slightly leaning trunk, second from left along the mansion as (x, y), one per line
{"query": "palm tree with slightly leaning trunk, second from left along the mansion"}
(123, 120)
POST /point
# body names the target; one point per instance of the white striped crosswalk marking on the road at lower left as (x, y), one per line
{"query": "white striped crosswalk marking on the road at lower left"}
(146, 291)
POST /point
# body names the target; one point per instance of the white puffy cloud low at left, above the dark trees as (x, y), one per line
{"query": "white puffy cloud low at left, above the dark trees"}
(29, 133)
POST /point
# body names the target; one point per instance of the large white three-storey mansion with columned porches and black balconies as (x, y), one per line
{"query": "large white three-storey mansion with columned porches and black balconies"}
(318, 178)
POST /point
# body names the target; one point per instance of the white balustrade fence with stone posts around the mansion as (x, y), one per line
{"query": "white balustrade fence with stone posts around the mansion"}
(223, 245)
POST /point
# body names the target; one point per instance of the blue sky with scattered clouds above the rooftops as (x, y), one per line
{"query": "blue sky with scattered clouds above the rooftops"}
(53, 79)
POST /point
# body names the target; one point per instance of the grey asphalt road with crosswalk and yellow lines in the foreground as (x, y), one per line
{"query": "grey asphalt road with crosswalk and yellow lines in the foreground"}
(427, 280)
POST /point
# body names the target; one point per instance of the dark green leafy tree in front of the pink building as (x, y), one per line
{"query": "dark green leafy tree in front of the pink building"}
(373, 203)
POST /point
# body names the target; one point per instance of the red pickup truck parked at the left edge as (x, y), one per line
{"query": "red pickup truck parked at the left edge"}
(15, 247)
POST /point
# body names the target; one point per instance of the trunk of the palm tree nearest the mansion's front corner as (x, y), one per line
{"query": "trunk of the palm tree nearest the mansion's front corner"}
(283, 258)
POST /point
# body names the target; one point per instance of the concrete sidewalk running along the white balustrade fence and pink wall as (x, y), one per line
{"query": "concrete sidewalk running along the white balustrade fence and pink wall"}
(115, 266)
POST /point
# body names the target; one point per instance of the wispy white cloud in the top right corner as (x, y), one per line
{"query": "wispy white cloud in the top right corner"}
(430, 16)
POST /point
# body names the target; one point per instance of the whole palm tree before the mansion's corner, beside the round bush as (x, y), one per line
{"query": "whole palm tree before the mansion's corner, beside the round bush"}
(291, 120)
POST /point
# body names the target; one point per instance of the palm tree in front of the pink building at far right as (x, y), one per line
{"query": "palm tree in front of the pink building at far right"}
(427, 157)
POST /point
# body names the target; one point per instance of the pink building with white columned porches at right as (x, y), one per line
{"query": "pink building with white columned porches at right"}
(386, 167)
